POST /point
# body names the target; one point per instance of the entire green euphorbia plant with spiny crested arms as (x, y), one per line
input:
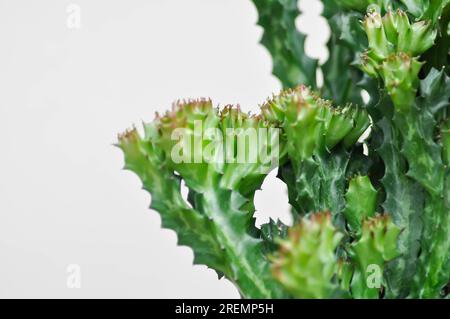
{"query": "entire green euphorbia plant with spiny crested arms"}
(367, 224)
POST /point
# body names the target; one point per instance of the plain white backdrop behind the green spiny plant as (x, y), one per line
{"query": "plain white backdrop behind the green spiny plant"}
(66, 92)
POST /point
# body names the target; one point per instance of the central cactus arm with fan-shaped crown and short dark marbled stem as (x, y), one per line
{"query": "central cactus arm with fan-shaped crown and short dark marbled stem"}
(316, 134)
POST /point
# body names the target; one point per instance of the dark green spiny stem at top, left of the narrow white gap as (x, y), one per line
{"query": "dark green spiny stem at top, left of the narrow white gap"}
(285, 43)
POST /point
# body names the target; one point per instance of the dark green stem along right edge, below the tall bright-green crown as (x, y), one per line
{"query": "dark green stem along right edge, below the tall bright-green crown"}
(427, 168)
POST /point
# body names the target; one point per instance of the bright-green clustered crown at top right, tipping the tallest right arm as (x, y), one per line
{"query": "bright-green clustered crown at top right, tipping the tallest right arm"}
(393, 46)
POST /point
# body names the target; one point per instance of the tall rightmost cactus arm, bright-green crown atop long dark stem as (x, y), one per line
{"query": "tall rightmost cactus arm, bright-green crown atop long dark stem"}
(394, 47)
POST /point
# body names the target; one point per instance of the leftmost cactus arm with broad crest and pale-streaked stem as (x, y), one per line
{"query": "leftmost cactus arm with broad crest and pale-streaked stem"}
(219, 226)
